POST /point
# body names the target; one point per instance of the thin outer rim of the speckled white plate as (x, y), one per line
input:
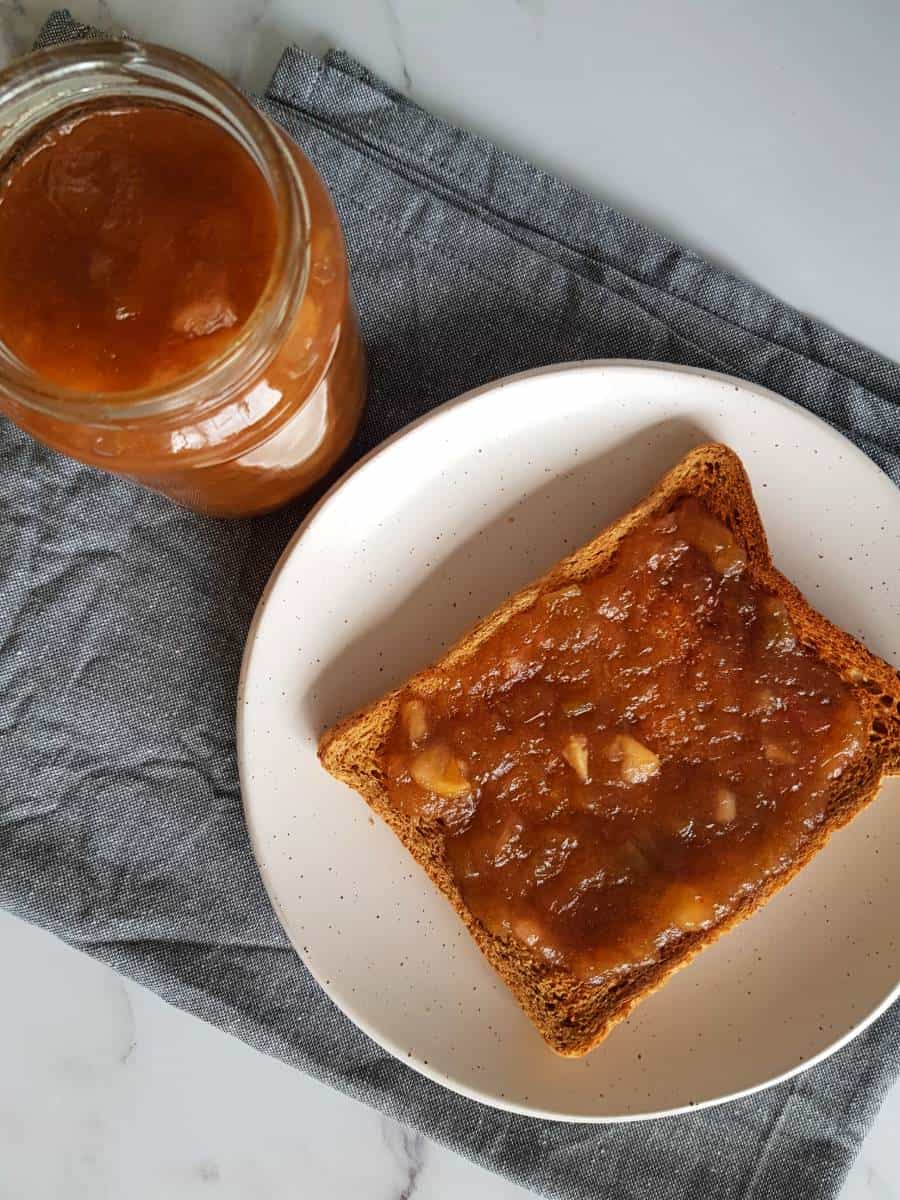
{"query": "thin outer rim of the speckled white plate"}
(418, 1065)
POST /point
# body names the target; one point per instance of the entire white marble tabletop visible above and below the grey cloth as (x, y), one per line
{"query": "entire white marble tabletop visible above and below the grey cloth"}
(765, 136)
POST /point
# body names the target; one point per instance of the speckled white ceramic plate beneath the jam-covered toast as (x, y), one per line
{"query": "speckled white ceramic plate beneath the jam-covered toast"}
(418, 542)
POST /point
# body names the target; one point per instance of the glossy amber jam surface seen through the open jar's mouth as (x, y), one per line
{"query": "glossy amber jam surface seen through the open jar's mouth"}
(135, 244)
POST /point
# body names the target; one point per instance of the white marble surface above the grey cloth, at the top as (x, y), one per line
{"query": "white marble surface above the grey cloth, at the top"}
(761, 134)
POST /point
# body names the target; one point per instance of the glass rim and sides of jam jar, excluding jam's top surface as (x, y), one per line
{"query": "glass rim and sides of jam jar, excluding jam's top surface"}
(253, 428)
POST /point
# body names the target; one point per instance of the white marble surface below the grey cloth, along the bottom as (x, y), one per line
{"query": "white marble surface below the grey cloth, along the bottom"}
(109, 1094)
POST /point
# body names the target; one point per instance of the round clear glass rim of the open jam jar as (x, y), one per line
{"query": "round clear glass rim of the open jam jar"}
(52, 81)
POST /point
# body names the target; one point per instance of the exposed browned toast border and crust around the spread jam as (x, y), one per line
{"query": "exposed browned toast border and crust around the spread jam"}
(573, 1016)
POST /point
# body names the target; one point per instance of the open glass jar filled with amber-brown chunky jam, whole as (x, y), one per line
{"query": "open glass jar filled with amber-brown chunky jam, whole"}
(175, 293)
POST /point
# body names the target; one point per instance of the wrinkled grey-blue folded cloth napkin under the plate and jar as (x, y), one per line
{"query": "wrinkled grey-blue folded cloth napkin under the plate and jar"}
(123, 621)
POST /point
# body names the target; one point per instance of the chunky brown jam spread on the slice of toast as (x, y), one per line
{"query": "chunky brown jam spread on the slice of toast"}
(631, 758)
